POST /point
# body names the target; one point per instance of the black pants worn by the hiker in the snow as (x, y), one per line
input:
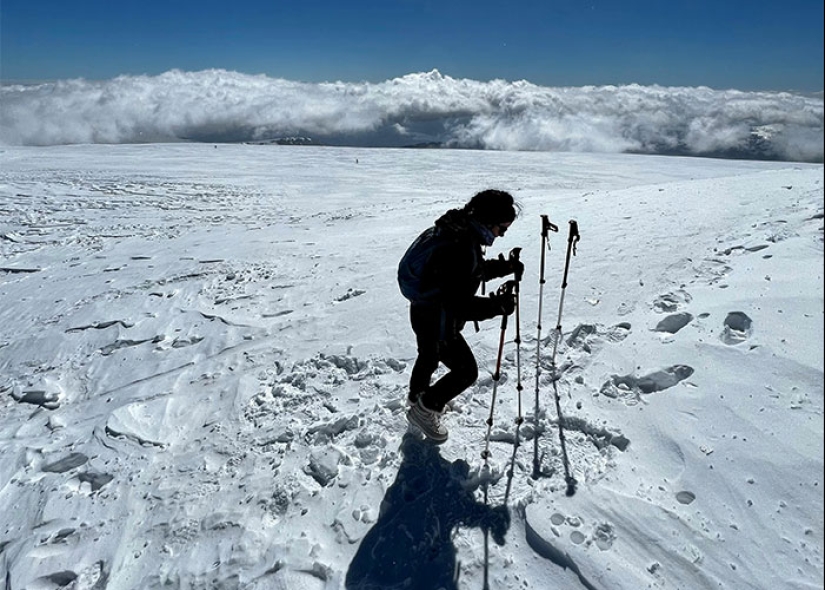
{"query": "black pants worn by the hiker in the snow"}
(438, 343)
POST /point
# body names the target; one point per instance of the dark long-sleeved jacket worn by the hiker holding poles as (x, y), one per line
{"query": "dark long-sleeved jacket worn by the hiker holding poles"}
(455, 270)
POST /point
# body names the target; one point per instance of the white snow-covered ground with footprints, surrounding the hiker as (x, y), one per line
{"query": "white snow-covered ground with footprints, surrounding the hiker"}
(204, 359)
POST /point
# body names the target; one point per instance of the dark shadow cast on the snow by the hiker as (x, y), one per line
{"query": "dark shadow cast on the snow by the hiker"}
(410, 546)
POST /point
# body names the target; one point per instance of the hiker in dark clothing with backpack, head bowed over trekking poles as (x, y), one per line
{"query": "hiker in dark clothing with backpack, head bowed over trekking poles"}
(440, 274)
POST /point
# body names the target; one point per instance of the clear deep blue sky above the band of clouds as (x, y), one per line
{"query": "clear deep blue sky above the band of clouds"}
(741, 44)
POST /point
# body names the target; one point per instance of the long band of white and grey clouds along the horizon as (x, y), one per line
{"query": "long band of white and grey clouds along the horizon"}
(417, 109)
